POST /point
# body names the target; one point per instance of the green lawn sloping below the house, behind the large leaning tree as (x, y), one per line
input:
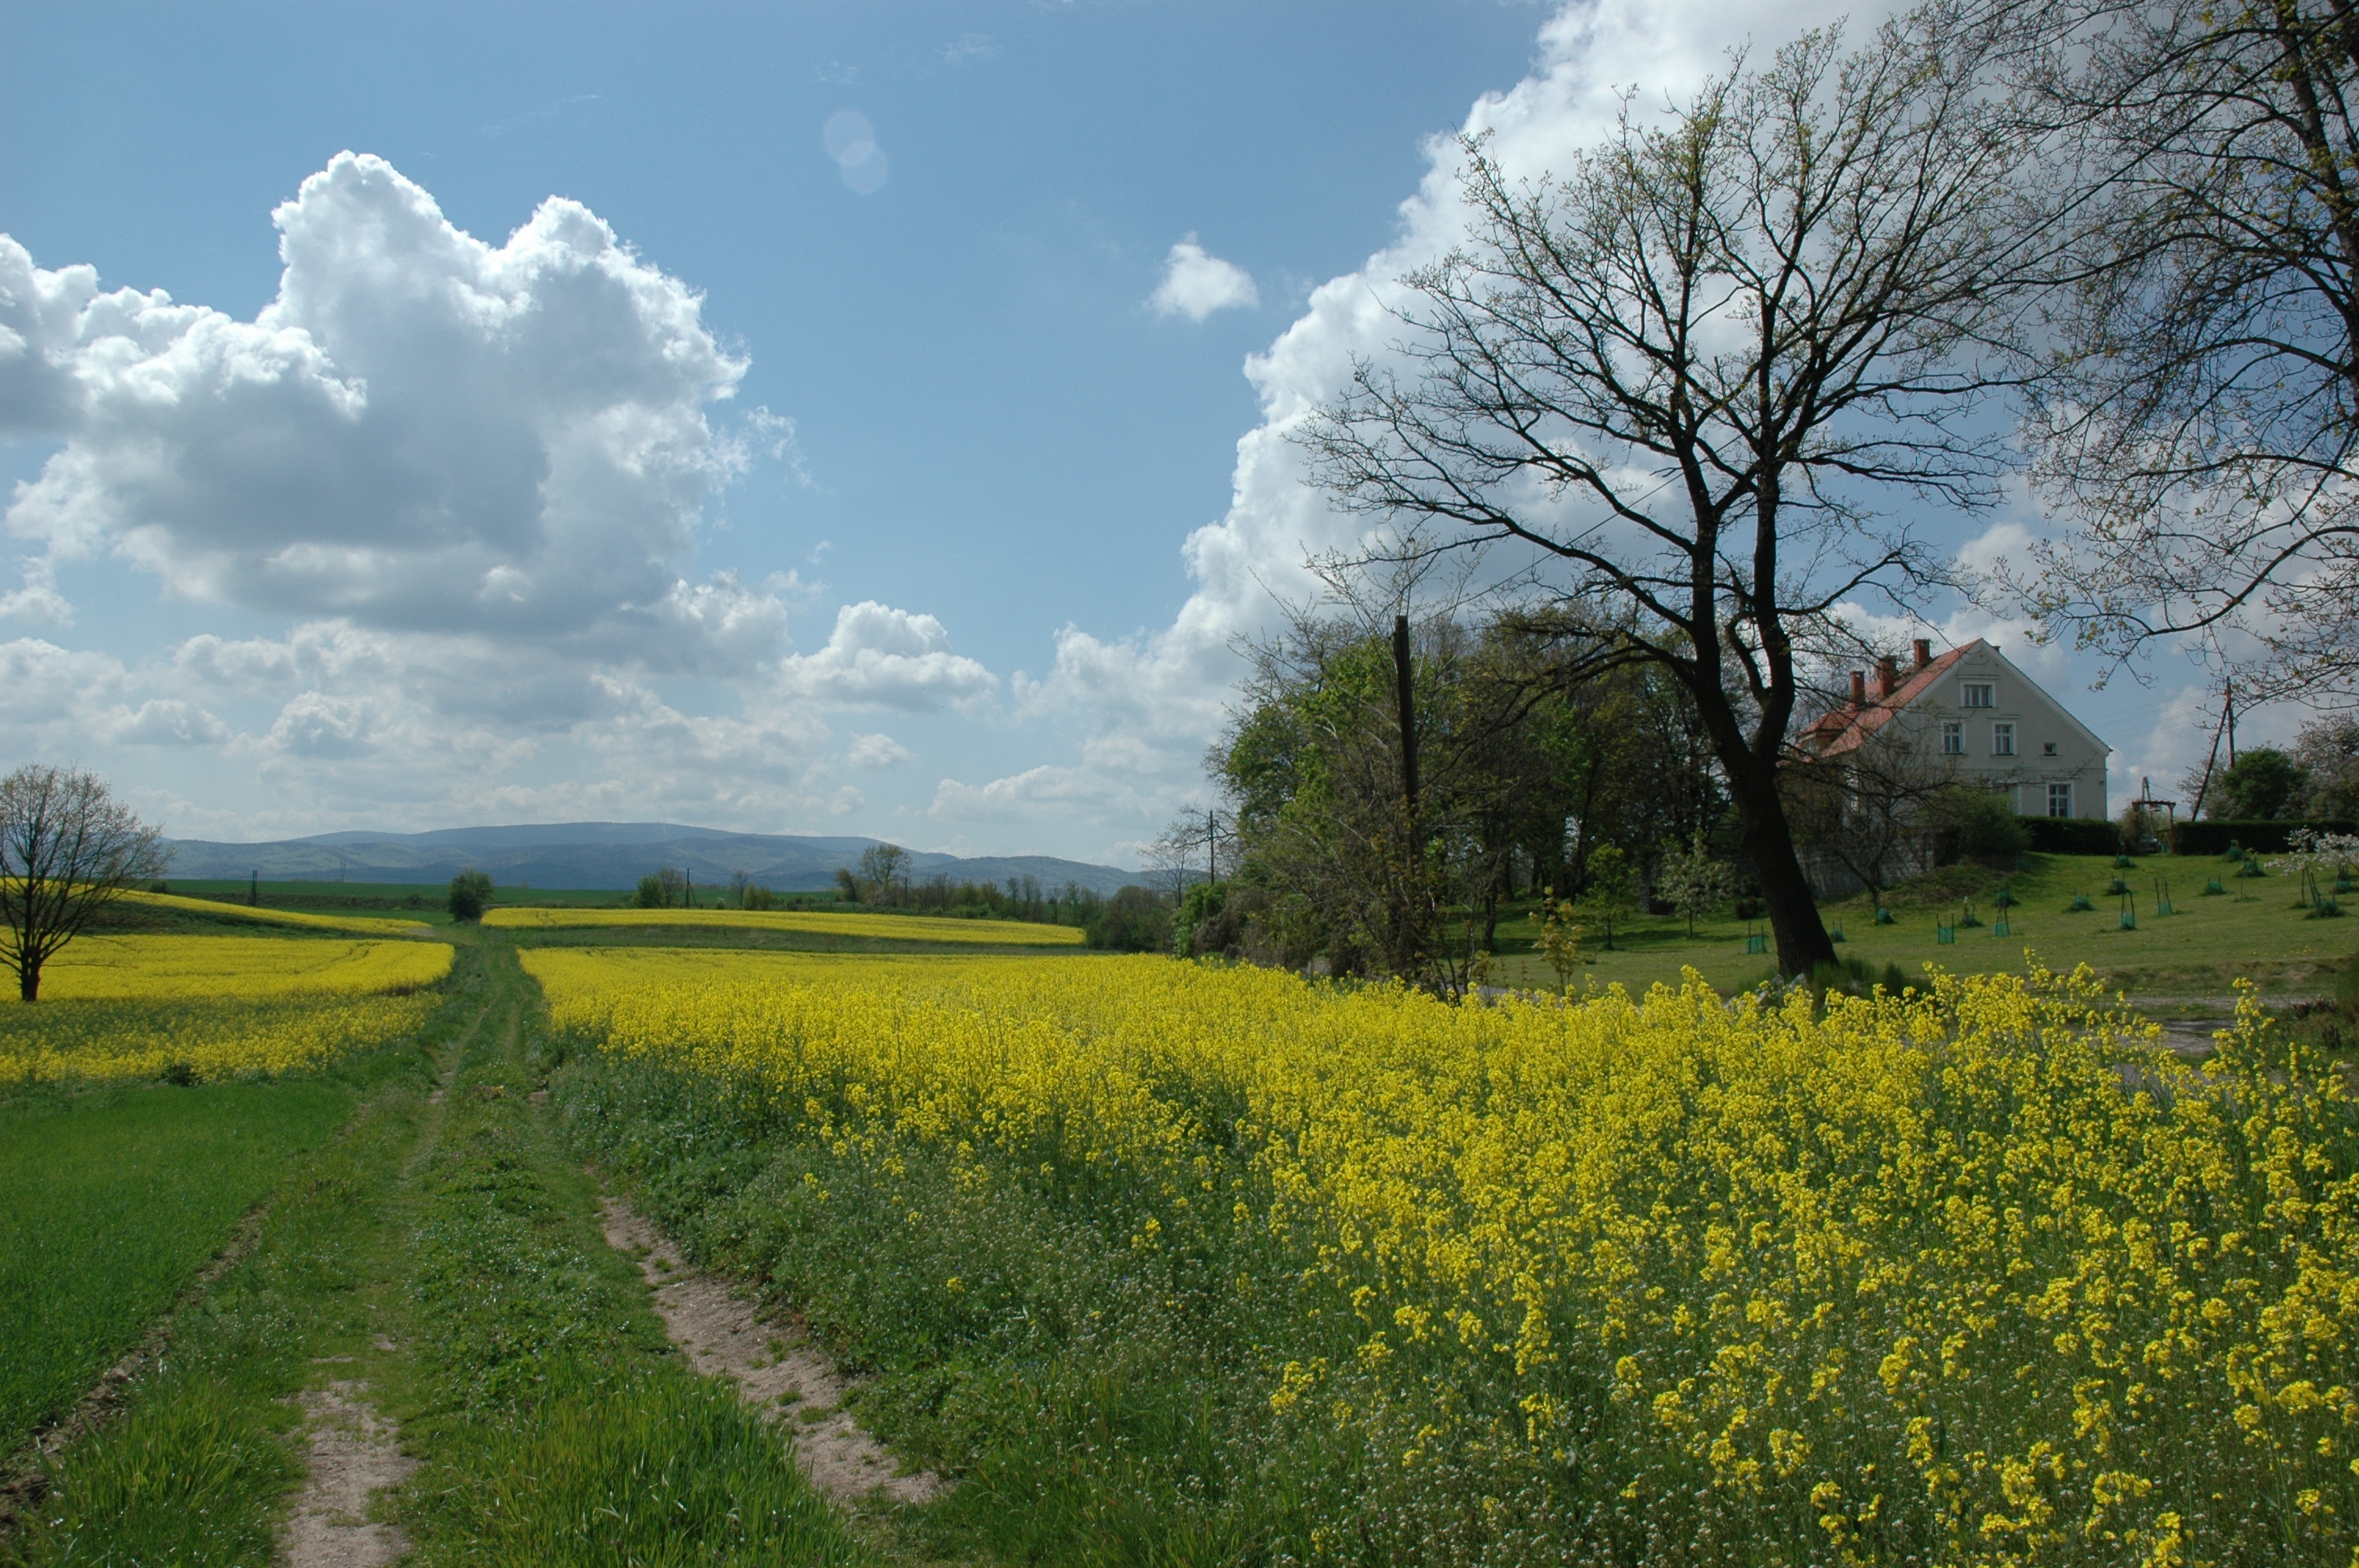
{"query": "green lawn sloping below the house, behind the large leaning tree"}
(2190, 956)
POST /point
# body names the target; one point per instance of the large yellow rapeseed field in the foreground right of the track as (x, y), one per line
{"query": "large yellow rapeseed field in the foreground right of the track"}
(1969, 1277)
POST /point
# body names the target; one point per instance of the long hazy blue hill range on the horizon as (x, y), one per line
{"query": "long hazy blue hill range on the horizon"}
(598, 855)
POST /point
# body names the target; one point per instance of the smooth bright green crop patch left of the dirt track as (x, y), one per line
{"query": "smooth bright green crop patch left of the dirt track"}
(114, 1201)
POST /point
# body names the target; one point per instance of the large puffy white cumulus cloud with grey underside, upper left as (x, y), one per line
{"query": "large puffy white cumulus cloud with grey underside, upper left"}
(421, 433)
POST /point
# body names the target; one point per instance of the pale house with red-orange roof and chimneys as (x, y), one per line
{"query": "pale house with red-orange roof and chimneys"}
(1980, 720)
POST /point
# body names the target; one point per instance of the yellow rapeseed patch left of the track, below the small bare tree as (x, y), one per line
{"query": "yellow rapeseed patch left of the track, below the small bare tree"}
(216, 1006)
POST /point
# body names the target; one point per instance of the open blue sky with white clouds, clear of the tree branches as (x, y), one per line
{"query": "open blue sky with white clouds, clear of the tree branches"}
(912, 489)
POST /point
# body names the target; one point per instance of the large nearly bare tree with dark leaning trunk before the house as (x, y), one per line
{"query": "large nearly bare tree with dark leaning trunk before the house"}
(1683, 371)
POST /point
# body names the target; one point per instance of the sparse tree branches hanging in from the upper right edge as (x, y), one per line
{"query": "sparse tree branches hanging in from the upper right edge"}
(2197, 419)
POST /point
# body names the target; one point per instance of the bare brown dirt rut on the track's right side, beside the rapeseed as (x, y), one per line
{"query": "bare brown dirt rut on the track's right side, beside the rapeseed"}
(777, 1371)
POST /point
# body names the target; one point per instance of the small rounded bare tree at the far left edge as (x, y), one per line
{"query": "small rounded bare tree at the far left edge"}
(67, 850)
